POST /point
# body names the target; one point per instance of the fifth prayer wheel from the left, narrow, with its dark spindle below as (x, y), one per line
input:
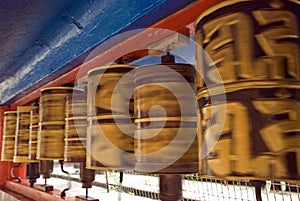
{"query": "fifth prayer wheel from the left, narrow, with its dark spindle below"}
(75, 138)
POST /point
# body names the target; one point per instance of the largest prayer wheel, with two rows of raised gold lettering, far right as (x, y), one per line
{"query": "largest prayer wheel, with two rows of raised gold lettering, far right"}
(254, 45)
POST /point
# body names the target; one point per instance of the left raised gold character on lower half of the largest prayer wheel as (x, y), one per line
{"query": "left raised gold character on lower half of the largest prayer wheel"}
(232, 151)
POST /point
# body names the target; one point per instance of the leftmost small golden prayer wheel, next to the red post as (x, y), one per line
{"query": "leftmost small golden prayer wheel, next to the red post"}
(9, 131)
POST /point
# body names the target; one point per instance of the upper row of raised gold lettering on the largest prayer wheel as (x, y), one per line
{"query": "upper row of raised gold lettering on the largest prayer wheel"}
(272, 52)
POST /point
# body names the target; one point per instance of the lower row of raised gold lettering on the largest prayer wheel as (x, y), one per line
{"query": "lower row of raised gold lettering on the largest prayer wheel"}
(234, 153)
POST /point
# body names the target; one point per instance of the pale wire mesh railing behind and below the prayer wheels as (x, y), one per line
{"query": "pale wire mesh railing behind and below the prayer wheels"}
(195, 188)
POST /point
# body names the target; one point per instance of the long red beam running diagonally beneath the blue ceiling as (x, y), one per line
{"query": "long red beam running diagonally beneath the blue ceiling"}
(174, 22)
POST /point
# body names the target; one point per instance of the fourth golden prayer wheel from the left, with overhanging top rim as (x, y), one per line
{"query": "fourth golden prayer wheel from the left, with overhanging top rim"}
(52, 122)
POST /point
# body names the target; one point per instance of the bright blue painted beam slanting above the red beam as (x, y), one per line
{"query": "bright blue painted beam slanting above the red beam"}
(67, 40)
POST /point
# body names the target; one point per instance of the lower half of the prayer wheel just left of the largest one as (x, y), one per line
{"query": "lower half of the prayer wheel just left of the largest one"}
(165, 147)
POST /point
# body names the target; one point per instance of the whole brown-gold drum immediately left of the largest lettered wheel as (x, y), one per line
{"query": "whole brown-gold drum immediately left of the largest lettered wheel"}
(166, 111)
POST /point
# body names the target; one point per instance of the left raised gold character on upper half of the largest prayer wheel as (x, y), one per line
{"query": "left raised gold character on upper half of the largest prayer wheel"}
(228, 42)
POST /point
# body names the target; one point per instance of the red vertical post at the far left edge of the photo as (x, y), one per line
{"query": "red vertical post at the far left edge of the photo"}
(4, 165)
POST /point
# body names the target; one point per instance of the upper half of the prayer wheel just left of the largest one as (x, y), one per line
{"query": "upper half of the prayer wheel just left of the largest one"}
(164, 85)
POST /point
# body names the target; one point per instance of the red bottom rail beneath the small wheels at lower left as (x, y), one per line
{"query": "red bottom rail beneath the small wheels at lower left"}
(33, 193)
